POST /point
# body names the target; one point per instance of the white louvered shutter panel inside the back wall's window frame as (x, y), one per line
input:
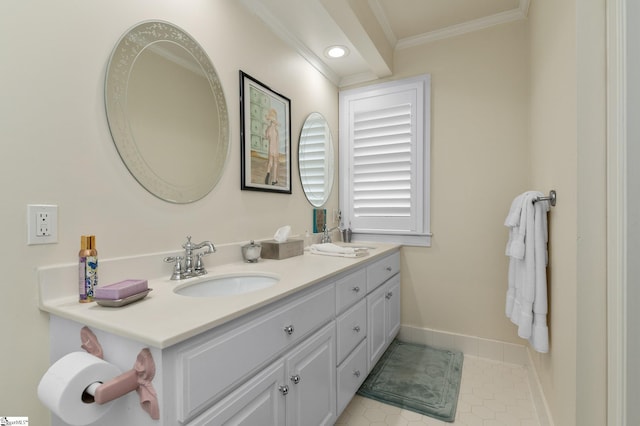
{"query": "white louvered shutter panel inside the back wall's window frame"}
(384, 180)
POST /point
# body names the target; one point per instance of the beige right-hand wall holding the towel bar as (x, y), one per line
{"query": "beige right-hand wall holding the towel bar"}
(569, 121)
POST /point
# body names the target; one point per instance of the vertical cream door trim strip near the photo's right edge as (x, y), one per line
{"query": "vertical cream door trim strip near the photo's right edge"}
(616, 213)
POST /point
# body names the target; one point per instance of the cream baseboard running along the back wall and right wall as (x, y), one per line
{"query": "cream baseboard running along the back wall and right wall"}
(494, 350)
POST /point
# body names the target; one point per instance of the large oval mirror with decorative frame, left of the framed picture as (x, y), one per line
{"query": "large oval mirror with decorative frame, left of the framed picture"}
(167, 112)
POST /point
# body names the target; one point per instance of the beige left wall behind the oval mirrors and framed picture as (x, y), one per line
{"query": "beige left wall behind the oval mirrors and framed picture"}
(56, 148)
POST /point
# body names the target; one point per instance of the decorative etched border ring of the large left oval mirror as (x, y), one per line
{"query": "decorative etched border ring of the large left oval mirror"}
(121, 62)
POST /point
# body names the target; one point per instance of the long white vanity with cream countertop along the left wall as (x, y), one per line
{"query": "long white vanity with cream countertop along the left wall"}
(297, 359)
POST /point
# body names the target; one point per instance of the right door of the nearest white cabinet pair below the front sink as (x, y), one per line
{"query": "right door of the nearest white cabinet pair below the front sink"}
(311, 372)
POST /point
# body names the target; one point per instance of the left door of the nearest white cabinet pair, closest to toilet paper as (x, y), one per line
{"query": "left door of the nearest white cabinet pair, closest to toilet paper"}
(259, 402)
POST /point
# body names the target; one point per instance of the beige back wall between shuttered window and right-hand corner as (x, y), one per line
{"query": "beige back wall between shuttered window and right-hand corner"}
(479, 147)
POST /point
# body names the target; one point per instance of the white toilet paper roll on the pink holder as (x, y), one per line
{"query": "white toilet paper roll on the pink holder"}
(62, 386)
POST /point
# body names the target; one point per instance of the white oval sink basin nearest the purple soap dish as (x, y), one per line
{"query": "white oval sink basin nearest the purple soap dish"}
(227, 285)
